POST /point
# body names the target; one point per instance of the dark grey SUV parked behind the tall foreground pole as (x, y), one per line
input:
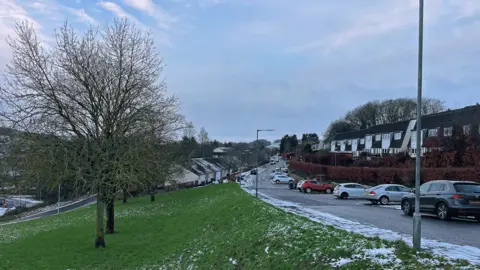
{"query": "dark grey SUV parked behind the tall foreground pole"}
(446, 199)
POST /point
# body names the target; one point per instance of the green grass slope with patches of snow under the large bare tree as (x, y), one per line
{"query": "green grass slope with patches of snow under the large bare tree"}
(216, 227)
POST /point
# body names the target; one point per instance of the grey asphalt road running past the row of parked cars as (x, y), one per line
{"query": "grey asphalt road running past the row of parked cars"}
(460, 232)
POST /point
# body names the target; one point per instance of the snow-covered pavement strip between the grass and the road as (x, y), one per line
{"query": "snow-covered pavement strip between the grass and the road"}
(442, 249)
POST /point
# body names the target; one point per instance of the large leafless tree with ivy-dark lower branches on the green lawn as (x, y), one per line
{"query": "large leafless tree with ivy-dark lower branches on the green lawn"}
(97, 102)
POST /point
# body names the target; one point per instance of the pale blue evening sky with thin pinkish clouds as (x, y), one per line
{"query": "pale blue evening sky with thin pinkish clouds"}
(291, 66)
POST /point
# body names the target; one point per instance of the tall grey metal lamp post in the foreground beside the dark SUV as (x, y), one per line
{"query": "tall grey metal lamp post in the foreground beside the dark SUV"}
(417, 221)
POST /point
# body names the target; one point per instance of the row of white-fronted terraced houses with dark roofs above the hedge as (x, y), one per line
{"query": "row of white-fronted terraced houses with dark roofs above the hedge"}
(401, 136)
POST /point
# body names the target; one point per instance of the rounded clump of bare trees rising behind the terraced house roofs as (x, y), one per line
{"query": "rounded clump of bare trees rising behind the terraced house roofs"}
(381, 112)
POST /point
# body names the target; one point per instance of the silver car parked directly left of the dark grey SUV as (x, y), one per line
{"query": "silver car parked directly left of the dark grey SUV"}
(386, 193)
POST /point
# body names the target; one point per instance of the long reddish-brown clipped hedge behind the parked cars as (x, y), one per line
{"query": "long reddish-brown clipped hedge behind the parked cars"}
(378, 176)
